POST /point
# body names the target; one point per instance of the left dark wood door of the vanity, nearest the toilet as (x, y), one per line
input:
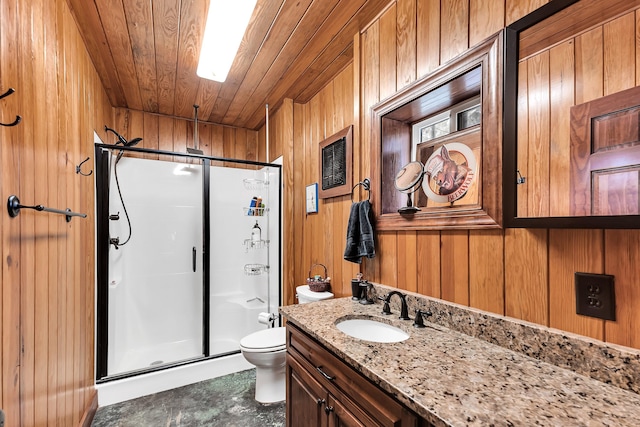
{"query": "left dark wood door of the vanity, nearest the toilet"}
(309, 409)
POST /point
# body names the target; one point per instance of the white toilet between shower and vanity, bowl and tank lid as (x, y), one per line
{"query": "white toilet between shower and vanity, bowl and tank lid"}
(266, 350)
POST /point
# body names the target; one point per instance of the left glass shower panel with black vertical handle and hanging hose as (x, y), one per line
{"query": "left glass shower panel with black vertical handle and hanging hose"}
(155, 295)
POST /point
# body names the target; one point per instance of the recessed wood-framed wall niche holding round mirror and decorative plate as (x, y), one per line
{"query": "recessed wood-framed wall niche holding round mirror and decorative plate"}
(476, 74)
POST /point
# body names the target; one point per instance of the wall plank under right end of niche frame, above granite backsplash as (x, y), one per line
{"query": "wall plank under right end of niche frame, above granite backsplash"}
(486, 270)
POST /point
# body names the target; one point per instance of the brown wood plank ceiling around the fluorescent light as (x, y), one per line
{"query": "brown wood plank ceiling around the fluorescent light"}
(146, 53)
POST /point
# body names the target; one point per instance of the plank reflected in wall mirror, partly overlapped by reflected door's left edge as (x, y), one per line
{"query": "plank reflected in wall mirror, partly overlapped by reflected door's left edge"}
(561, 76)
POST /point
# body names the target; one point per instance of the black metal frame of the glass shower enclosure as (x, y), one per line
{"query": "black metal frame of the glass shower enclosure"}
(102, 254)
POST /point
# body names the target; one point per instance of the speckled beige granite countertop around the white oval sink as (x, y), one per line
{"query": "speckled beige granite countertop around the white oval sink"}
(451, 378)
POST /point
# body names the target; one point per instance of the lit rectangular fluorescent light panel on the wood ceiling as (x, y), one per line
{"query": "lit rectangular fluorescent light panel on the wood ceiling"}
(227, 22)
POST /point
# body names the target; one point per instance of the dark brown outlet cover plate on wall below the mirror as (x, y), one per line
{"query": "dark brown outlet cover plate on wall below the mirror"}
(595, 296)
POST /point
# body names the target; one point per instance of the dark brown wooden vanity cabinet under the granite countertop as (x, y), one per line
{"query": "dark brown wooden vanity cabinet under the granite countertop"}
(323, 391)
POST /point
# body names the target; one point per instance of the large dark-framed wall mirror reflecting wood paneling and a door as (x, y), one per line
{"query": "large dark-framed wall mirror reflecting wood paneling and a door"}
(572, 117)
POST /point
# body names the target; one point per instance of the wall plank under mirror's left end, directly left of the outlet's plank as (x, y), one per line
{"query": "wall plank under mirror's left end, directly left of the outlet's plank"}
(526, 275)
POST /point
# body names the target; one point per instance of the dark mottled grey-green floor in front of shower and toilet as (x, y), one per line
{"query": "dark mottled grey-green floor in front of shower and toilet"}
(225, 401)
